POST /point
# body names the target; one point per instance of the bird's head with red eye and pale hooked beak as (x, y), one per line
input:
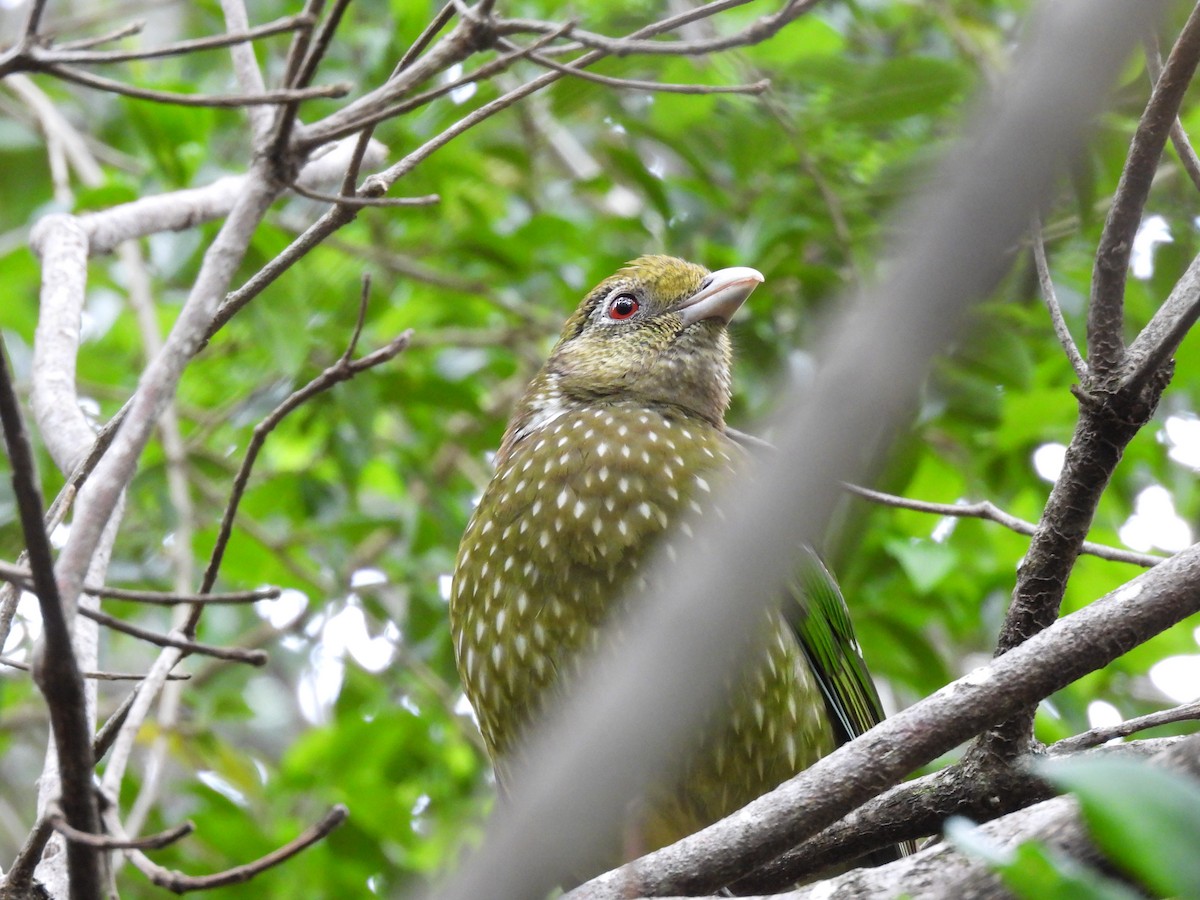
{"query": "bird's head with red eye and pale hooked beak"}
(655, 334)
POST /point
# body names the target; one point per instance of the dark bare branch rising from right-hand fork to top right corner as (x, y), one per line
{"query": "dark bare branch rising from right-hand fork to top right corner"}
(1106, 316)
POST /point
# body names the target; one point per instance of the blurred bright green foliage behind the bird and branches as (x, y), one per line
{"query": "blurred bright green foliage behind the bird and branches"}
(361, 497)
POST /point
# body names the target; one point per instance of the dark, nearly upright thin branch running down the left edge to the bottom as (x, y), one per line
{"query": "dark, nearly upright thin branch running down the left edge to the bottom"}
(57, 673)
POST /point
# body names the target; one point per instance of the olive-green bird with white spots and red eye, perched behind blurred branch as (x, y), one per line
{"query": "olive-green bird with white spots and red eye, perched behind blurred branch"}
(619, 441)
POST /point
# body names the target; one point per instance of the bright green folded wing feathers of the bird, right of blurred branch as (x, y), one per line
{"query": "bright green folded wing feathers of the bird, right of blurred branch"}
(821, 622)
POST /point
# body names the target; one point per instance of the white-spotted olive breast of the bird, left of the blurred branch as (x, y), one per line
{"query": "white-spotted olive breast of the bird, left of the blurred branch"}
(572, 513)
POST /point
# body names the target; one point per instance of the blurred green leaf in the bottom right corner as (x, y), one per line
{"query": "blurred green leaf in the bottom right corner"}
(1147, 820)
